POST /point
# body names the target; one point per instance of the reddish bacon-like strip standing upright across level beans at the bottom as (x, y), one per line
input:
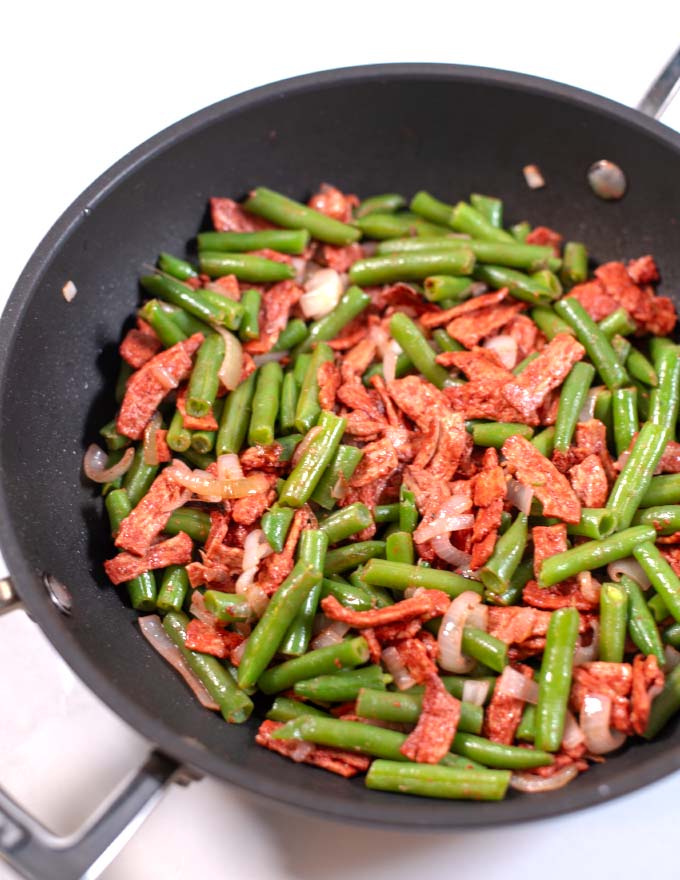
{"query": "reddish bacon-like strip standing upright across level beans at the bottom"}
(432, 736)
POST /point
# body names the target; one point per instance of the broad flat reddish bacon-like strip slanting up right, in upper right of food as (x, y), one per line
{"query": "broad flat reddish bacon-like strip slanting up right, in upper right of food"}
(547, 372)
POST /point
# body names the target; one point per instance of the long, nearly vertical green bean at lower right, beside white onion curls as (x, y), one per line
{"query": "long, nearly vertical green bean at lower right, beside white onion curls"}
(555, 679)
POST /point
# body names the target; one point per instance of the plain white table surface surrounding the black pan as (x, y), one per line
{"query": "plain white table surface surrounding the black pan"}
(83, 84)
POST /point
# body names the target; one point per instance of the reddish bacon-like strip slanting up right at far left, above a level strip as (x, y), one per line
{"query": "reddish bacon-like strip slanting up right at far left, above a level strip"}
(144, 524)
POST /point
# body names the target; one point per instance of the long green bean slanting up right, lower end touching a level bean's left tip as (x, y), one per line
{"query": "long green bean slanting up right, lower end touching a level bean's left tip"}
(270, 630)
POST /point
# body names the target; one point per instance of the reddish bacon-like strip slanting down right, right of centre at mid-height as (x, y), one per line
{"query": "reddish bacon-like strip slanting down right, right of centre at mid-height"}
(549, 485)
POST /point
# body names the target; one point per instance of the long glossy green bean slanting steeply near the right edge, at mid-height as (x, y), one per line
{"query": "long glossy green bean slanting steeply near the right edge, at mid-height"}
(633, 481)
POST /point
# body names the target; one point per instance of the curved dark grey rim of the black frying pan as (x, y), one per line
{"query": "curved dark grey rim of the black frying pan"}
(388, 811)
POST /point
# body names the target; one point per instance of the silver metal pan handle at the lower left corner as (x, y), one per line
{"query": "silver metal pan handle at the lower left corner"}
(38, 854)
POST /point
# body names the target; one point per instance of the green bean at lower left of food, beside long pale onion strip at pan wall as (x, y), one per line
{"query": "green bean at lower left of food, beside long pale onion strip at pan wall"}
(234, 704)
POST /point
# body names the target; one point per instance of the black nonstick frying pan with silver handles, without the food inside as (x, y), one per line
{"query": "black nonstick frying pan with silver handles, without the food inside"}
(448, 129)
